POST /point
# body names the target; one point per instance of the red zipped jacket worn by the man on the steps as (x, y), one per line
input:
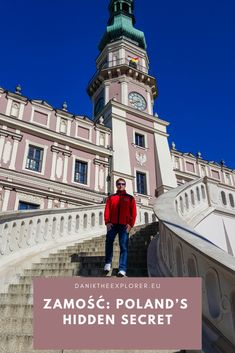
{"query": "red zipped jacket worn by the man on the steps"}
(120, 208)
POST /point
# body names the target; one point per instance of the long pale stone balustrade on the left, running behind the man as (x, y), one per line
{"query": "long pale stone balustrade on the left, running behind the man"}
(25, 236)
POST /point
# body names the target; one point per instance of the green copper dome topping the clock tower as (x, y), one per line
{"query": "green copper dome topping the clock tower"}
(121, 24)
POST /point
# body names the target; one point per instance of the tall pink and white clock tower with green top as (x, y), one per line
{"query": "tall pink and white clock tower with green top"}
(123, 93)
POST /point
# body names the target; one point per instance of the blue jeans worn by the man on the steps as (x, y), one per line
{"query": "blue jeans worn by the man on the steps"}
(123, 243)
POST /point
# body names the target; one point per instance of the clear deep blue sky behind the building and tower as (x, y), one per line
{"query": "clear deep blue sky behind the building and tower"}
(50, 46)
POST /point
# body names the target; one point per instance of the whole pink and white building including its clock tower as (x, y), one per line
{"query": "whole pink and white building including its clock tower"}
(51, 158)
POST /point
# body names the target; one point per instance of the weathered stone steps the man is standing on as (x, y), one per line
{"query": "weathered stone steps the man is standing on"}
(80, 259)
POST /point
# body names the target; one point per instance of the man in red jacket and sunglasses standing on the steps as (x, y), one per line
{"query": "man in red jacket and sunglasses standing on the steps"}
(119, 216)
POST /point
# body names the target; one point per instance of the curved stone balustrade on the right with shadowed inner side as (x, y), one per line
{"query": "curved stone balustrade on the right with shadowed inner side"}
(182, 251)
